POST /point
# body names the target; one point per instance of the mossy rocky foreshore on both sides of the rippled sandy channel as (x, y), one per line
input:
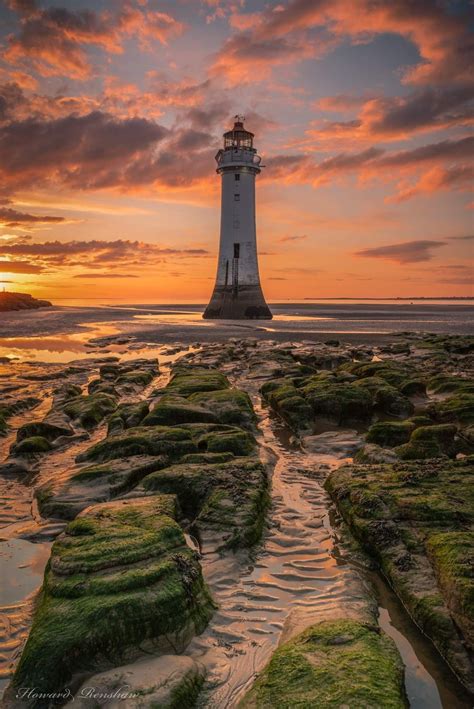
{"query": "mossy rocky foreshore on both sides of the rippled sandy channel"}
(169, 475)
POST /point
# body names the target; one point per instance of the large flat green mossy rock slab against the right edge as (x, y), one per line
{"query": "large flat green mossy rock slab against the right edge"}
(398, 512)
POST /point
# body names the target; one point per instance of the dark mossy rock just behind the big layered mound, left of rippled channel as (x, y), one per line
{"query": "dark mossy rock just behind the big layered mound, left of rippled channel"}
(228, 498)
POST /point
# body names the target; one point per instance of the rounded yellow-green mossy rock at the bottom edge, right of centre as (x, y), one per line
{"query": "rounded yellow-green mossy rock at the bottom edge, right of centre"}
(338, 663)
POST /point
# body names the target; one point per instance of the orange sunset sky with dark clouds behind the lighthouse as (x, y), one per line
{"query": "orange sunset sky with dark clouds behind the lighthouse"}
(111, 112)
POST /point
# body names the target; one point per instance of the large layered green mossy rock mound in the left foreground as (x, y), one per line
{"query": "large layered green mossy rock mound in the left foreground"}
(120, 581)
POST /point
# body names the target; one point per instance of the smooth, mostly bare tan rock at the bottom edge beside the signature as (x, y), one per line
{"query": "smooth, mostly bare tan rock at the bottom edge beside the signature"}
(172, 681)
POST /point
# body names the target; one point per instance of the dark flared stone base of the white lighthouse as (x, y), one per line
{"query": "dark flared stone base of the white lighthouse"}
(247, 303)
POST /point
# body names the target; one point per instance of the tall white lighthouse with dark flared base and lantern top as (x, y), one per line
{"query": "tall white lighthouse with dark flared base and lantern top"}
(237, 292)
